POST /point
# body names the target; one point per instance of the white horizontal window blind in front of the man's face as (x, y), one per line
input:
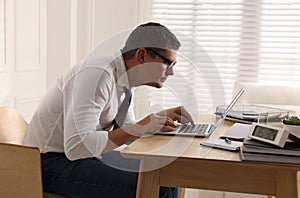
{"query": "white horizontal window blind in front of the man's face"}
(225, 41)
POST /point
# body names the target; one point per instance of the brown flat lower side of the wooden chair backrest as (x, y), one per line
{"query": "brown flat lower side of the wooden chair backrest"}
(20, 171)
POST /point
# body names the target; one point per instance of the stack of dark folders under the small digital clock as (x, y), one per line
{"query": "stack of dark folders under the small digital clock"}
(257, 151)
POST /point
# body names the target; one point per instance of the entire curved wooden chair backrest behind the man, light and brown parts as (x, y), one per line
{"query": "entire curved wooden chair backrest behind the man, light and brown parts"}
(20, 166)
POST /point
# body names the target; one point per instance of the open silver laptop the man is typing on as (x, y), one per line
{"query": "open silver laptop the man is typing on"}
(205, 129)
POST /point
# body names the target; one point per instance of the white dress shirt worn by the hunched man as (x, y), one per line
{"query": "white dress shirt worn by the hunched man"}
(76, 113)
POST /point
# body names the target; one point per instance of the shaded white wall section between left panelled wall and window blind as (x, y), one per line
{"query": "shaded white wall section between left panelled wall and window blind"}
(74, 27)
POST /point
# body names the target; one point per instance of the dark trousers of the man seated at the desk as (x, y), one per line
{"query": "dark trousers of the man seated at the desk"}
(111, 177)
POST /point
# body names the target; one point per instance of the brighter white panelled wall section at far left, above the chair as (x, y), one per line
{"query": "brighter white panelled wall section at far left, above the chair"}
(24, 46)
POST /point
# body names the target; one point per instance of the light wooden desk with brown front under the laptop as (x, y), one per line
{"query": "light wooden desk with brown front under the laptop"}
(180, 161)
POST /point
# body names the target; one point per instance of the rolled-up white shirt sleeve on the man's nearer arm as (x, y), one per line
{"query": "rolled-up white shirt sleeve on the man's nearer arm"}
(84, 100)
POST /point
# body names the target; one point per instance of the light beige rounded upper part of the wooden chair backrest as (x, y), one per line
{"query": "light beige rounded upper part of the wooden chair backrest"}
(12, 126)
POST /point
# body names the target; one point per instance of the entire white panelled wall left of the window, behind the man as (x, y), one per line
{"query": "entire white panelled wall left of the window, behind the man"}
(44, 38)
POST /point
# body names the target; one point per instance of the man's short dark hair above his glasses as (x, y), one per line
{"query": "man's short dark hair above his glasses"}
(150, 35)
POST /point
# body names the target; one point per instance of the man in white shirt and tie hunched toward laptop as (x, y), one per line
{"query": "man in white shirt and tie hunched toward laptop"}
(79, 121)
